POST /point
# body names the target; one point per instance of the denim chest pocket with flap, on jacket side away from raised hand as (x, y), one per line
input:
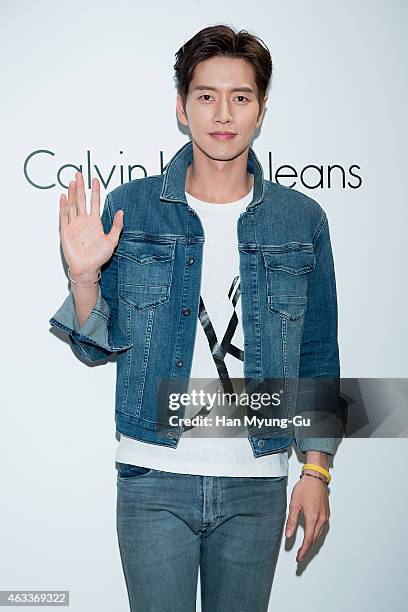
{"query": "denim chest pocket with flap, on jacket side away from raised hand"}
(287, 269)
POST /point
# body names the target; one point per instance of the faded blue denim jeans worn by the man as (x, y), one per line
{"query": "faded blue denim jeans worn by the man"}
(171, 524)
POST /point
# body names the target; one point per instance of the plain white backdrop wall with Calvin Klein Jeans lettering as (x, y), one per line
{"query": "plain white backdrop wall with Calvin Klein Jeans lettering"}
(98, 77)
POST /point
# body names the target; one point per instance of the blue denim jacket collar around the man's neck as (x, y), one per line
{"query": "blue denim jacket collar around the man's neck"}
(175, 176)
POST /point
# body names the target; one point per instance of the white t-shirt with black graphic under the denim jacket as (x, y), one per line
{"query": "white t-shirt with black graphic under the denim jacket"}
(199, 450)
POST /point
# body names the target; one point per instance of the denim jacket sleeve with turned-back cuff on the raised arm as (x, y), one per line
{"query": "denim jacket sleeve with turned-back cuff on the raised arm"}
(100, 335)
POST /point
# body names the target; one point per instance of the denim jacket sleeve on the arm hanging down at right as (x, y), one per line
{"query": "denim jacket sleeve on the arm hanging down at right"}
(319, 369)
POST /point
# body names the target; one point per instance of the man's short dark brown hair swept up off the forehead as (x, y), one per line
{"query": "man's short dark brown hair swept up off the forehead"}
(222, 40)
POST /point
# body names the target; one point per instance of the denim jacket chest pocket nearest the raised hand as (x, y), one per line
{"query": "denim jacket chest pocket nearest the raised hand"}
(145, 270)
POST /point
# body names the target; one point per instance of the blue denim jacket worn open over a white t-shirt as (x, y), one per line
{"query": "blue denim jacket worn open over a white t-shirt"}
(149, 292)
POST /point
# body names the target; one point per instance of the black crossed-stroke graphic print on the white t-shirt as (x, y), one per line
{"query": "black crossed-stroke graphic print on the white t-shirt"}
(220, 349)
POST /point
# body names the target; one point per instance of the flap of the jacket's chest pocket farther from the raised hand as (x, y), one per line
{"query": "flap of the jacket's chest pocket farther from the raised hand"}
(293, 258)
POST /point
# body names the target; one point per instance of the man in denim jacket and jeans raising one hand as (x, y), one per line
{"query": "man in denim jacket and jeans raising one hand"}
(206, 271)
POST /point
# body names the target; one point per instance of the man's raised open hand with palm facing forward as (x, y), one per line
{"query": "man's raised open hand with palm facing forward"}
(84, 243)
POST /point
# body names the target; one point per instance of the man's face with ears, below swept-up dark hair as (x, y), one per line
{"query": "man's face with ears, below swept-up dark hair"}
(222, 97)
